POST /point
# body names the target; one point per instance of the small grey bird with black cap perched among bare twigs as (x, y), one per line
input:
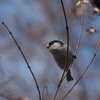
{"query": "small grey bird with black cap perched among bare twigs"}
(59, 51)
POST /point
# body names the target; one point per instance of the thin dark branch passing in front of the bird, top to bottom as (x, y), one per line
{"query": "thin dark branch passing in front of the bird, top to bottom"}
(67, 31)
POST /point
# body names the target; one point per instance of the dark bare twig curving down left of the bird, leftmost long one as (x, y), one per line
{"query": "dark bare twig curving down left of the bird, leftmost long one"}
(24, 59)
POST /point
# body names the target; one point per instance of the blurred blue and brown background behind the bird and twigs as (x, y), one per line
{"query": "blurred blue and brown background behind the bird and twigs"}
(34, 23)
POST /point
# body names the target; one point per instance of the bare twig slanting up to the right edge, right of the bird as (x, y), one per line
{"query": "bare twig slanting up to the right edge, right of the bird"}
(96, 50)
